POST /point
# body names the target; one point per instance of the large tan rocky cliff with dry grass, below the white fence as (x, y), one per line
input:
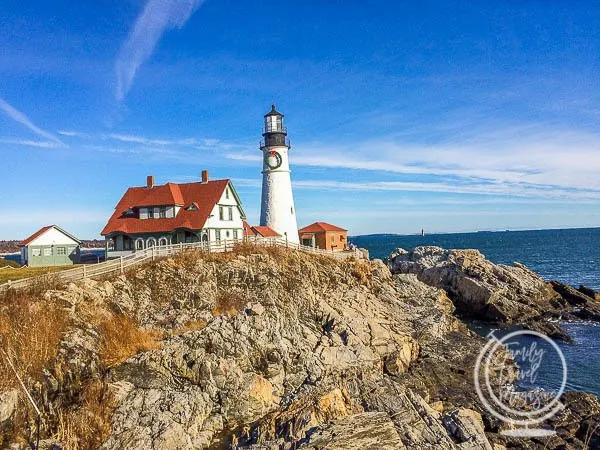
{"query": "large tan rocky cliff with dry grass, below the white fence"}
(259, 349)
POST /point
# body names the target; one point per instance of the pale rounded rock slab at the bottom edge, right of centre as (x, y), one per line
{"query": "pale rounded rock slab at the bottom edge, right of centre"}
(368, 431)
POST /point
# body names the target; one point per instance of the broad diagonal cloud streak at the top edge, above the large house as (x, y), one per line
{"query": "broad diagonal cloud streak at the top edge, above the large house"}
(157, 17)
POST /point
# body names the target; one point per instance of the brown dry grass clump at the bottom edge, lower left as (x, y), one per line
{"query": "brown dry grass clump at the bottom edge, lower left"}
(88, 425)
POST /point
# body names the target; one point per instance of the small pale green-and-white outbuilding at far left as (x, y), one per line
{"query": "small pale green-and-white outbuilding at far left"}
(50, 246)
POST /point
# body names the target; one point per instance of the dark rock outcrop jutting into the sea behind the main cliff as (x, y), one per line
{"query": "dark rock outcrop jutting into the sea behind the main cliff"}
(483, 290)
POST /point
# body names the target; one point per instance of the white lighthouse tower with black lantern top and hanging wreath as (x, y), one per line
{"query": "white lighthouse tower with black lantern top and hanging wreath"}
(277, 206)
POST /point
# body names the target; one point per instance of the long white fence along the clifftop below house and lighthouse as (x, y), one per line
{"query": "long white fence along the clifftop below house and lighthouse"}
(122, 263)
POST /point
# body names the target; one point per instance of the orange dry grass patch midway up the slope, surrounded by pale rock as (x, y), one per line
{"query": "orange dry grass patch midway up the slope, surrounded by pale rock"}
(121, 338)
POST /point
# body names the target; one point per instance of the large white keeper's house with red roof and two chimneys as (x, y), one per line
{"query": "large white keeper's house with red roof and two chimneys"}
(148, 216)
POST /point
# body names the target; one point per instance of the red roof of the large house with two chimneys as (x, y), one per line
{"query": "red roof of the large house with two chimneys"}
(203, 195)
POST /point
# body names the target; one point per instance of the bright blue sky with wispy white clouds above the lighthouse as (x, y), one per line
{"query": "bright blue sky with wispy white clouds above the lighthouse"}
(448, 116)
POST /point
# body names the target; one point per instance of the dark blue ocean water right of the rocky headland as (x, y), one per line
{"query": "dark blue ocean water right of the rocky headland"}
(571, 256)
